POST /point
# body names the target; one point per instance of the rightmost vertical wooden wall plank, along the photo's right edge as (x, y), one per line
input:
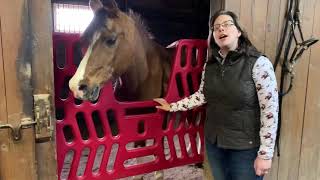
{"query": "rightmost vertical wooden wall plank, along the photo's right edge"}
(310, 152)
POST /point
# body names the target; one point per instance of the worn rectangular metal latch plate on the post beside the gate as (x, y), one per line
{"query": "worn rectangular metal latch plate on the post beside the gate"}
(42, 116)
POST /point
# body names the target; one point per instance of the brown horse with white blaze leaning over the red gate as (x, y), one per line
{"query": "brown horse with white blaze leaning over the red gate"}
(119, 45)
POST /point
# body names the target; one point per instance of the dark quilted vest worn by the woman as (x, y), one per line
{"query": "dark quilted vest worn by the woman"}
(233, 112)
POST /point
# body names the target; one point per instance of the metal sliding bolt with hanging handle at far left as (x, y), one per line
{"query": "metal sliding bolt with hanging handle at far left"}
(16, 131)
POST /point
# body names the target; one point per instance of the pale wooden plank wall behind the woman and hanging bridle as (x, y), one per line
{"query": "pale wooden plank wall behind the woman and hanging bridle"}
(299, 140)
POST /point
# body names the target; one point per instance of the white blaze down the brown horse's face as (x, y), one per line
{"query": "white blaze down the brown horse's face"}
(79, 75)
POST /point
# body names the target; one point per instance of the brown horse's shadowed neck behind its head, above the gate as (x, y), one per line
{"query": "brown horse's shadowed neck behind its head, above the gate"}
(147, 82)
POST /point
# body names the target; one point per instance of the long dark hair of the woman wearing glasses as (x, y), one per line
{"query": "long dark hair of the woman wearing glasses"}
(244, 44)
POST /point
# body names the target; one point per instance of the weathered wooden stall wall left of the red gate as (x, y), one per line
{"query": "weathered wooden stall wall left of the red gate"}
(25, 70)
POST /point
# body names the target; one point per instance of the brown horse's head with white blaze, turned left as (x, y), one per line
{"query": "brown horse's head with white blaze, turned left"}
(114, 46)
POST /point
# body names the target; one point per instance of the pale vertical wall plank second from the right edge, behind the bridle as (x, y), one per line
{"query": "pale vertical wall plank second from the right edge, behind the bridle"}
(293, 107)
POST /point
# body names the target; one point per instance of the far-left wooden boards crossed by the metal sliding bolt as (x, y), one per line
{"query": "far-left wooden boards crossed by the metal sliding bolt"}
(17, 158)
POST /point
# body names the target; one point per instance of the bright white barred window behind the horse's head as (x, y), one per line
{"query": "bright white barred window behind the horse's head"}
(69, 18)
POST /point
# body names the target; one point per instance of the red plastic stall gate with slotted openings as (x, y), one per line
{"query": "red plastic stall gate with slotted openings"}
(87, 148)
